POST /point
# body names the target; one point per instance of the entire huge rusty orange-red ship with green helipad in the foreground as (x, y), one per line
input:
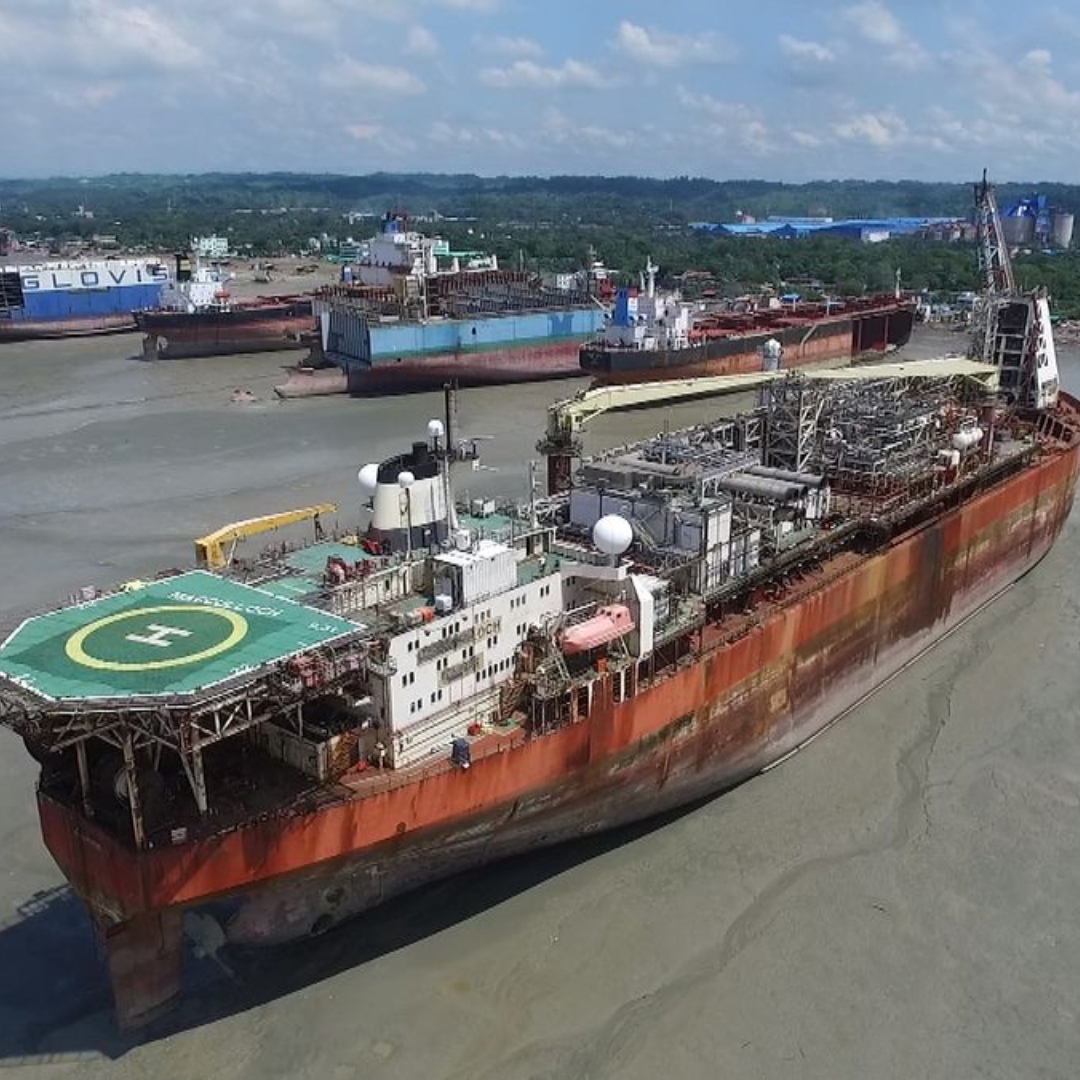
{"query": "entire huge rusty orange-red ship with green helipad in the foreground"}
(292, 739)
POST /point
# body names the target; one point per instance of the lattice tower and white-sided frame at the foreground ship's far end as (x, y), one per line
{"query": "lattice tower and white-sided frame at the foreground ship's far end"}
(1010, 329)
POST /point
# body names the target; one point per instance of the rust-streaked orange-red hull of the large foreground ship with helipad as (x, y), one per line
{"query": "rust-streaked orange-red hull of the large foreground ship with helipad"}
(749, 697)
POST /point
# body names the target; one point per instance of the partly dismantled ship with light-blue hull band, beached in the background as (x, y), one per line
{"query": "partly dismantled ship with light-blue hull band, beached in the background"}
(413, 315)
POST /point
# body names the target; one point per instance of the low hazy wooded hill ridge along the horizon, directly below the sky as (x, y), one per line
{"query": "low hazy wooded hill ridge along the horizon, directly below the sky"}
(591, 199)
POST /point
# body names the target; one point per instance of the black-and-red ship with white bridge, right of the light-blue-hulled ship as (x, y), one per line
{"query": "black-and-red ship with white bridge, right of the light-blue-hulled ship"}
(655, 336)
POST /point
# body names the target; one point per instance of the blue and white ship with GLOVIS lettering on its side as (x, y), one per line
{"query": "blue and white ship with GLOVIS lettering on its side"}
(77, 299)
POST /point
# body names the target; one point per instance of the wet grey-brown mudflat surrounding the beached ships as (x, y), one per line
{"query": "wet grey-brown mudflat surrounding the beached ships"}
(898, 900)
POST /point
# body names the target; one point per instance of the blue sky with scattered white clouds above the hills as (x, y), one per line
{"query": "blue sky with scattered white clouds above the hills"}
(778, 90)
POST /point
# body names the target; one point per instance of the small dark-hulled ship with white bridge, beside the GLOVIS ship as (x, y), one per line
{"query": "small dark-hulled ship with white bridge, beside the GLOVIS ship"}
(197, 317)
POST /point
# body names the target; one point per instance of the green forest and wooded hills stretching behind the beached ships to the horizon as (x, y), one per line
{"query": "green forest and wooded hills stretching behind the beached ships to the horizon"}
(553, 223)
